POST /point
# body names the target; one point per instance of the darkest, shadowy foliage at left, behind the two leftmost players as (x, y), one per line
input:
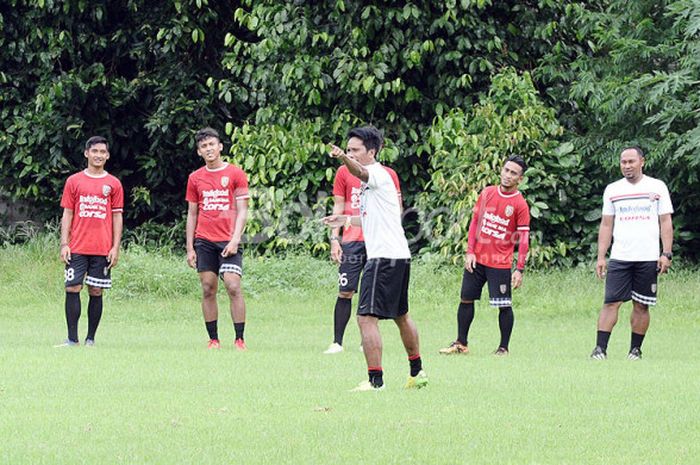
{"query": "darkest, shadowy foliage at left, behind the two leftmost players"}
(133, 71)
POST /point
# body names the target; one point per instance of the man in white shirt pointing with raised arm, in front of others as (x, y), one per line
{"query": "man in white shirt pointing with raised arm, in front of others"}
(384, 286)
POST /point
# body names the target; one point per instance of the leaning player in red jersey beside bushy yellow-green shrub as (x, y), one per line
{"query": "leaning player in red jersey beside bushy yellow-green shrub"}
(501, 218)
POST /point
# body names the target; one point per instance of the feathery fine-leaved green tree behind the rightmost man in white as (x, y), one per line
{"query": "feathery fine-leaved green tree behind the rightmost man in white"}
(635, 82)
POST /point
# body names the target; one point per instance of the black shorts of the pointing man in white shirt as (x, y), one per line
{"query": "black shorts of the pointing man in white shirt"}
(384, 289)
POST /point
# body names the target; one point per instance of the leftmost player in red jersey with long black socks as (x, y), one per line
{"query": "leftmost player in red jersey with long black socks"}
(91, 231)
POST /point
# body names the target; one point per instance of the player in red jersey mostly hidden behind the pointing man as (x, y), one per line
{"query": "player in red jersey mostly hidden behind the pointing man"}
(348, 251)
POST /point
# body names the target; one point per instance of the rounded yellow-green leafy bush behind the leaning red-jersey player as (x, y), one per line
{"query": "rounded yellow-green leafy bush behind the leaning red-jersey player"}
(467, 153)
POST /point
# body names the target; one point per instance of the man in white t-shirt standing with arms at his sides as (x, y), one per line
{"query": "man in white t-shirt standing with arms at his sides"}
(636, 211)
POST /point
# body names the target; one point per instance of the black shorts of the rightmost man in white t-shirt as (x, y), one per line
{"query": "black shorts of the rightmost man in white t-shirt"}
(631, 280)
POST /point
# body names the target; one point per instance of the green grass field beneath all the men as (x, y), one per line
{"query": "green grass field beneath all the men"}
(150, 393)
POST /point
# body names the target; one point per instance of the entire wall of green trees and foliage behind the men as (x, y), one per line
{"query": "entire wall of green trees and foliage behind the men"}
(282, 79)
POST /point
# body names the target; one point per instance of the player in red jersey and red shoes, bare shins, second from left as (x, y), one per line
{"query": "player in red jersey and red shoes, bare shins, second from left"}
(217, 197)
